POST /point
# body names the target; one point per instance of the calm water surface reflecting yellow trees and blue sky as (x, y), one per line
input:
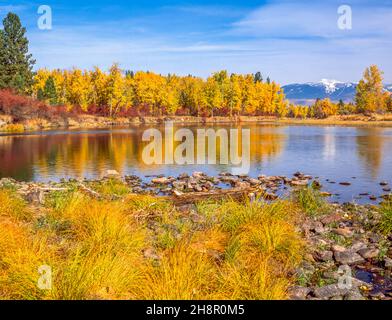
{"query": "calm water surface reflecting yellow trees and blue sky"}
(361, 156)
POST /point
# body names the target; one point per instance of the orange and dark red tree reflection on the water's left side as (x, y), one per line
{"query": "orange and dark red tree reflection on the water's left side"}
(91, 153)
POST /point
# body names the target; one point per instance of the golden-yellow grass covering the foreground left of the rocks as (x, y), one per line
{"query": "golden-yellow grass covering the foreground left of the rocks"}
(96, 249)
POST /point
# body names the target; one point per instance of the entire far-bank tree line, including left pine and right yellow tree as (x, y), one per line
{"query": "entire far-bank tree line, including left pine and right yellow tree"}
(118, 92)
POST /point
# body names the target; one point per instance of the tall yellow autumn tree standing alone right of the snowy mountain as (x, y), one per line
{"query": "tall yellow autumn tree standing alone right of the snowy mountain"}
(370, 96)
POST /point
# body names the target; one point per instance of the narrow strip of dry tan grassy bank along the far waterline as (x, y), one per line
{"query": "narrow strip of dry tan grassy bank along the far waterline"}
(7, 124)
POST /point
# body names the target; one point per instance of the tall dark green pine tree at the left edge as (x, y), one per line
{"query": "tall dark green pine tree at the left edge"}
(15, 61)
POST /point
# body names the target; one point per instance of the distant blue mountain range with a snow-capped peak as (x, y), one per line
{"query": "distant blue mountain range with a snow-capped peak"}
(307, 93)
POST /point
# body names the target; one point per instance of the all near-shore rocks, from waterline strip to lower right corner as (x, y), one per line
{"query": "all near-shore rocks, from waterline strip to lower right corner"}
(348, 257)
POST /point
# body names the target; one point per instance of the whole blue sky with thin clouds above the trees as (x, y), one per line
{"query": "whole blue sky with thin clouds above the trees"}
(291, 41)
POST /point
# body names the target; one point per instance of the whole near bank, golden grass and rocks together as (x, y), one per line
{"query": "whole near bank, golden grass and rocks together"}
(104, 241)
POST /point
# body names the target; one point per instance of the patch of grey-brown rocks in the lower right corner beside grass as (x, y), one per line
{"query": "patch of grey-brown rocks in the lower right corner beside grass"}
(347, 258)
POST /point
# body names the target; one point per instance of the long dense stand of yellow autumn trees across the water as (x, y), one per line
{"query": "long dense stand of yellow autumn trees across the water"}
(117, 92)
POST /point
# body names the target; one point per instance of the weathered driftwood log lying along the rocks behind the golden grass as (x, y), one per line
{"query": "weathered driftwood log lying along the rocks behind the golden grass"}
(235, 194)
